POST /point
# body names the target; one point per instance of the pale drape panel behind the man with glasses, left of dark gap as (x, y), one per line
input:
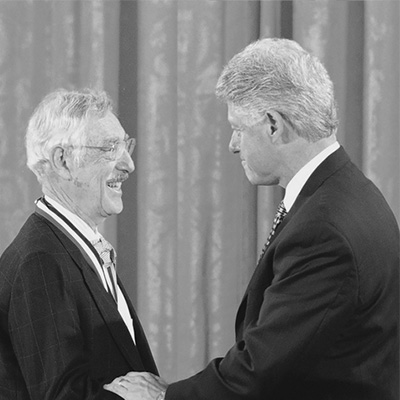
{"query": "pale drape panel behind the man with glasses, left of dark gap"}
(45, 45)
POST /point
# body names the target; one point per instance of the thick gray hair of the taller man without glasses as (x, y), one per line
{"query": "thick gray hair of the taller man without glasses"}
(278, 74)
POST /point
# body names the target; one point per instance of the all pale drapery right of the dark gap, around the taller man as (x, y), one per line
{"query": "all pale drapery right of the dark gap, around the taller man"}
(200, 224)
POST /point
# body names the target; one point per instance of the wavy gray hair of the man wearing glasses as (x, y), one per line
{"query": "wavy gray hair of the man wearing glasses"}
(63, 118)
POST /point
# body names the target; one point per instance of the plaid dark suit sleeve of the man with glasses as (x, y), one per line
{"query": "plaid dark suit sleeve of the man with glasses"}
(45, 331)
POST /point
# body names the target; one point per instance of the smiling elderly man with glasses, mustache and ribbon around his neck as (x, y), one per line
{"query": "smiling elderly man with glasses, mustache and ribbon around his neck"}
(67, 325)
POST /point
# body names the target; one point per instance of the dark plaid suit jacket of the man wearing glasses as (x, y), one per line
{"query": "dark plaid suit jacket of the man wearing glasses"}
(61, 335)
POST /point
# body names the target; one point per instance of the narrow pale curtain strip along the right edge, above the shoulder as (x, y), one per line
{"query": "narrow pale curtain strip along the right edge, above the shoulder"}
(381, 138)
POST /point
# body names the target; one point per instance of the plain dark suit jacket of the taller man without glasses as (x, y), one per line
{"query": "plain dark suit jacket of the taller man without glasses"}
(319, 319)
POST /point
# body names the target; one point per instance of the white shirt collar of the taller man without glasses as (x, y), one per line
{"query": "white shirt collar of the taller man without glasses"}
(298, 181)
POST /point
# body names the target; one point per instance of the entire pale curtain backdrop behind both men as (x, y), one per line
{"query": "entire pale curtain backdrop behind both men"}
(192, 226)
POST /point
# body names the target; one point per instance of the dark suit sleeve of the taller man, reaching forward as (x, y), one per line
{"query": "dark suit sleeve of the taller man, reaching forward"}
(296, 318)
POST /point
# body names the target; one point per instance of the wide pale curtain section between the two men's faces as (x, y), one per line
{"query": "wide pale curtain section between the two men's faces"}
(195, 207)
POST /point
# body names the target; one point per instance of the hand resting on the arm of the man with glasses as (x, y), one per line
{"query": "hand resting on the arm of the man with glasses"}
(138, 386)
